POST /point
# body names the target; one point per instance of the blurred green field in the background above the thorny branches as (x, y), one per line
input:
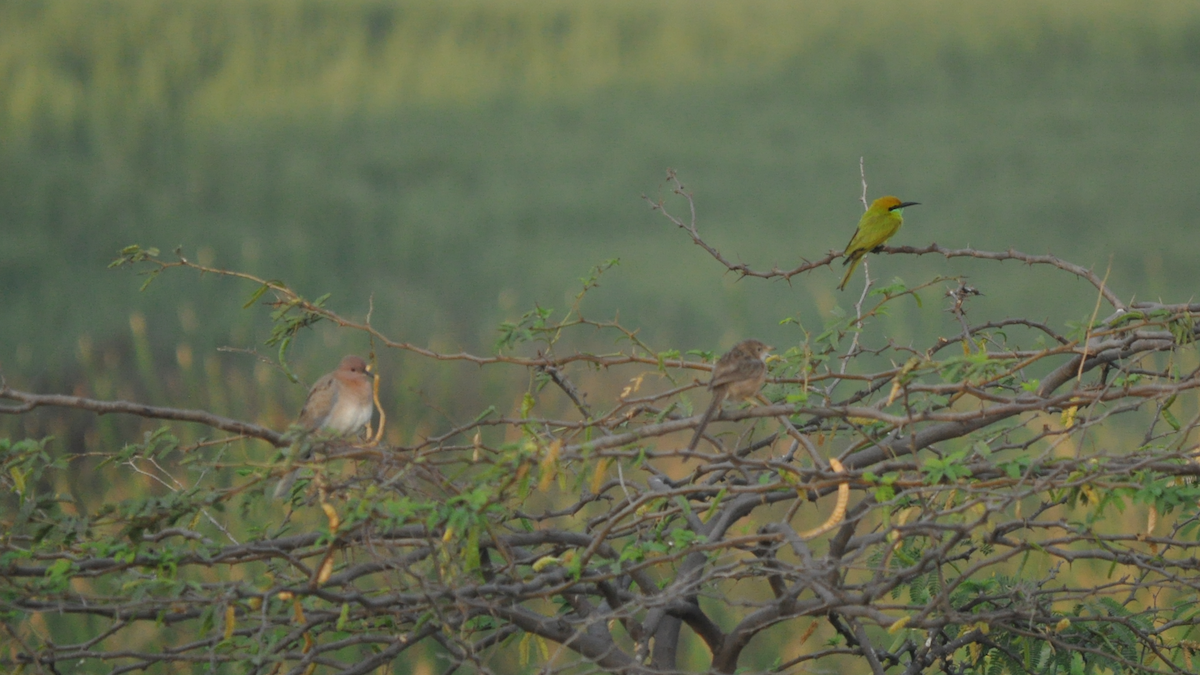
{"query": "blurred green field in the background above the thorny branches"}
(461, 162)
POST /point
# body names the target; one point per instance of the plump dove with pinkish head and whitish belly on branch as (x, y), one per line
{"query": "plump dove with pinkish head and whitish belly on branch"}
(341, 403)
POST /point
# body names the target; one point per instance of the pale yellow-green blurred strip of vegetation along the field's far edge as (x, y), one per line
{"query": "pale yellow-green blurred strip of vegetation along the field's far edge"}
(115, 65)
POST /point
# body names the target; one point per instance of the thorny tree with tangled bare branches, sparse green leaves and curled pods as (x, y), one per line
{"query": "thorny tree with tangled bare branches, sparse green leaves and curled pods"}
(1016, 497)
